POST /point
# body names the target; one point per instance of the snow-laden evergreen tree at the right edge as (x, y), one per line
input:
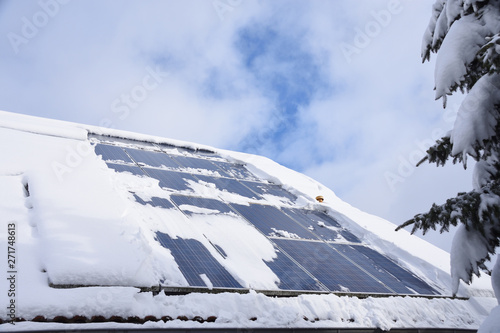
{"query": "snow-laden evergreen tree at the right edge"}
(465, 35)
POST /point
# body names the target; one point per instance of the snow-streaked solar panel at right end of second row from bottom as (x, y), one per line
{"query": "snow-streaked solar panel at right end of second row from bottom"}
(321, 225)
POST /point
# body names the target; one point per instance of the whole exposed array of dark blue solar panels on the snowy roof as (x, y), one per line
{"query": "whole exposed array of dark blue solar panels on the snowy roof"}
(314, 252)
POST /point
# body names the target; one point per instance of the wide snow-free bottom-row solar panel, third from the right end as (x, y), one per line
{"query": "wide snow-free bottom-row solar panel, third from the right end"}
(330, 268)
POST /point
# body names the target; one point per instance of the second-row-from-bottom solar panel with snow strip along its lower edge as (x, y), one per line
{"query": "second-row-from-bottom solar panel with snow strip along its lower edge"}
(273, 222)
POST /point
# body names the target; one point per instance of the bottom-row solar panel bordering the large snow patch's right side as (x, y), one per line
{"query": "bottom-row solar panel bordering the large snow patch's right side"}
(291, 276)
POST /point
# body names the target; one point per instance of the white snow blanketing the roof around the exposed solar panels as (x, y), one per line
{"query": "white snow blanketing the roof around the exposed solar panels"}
(79, 223)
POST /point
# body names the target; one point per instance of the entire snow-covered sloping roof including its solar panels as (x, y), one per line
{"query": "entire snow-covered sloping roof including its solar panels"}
(105, 225)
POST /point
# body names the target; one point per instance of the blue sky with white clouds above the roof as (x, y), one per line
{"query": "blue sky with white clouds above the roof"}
(333, 89)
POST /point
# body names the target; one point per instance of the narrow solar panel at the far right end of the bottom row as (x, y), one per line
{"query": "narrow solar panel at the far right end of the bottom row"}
(407, 278)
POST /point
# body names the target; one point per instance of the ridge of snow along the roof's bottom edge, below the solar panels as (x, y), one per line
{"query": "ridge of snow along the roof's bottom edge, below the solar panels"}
(236, 310)
